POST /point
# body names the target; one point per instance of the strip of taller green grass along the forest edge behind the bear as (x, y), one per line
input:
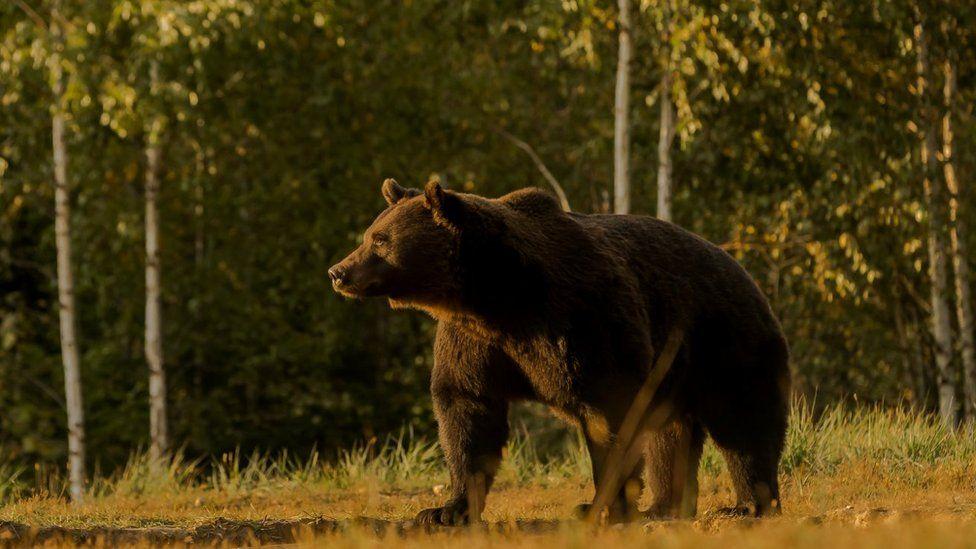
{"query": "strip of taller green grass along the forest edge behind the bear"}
(901, 441)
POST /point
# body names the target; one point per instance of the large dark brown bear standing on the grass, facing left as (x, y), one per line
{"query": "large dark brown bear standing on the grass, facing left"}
(570, 310)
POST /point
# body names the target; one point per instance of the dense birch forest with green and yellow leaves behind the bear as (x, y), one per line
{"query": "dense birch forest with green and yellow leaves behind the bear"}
(178, 176)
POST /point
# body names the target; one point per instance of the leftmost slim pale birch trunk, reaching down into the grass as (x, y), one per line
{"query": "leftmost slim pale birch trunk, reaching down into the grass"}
(66, 295)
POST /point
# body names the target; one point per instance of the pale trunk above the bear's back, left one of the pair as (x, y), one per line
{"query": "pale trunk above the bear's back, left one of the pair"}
(621, 133)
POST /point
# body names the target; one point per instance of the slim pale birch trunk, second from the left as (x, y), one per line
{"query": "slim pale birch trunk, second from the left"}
(159, 440)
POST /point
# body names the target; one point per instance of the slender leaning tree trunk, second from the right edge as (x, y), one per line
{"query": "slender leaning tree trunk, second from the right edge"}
(935, 202)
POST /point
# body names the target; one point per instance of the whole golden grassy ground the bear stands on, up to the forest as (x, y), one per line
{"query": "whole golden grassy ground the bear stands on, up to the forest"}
(850, 478)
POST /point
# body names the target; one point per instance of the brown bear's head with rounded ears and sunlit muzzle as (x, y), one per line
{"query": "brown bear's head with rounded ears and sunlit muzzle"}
(406, 253)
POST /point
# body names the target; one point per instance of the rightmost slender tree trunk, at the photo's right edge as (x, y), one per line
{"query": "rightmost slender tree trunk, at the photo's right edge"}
(960, 248)
